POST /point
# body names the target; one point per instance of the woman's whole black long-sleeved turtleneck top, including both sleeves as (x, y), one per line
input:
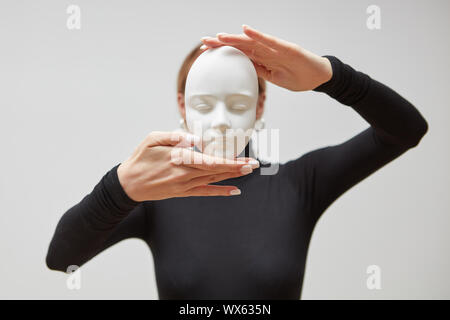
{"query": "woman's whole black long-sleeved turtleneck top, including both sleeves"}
(251, 246)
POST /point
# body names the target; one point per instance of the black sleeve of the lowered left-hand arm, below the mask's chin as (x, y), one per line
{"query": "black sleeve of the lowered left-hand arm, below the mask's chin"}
(104, 217)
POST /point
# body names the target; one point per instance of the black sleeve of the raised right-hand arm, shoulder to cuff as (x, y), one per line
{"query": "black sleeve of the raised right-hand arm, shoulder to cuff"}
(395, 126)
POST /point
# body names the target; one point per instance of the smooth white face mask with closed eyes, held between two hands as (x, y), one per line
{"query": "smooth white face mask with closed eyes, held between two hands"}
(221, 95)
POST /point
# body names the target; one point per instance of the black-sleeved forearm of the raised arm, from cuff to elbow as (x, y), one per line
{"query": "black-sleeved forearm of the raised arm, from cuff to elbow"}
(395, 120)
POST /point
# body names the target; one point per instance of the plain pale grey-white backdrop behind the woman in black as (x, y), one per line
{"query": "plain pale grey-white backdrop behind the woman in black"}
(76, 103)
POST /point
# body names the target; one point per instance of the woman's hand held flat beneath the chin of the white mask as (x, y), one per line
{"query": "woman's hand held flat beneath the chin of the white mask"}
(163, 167)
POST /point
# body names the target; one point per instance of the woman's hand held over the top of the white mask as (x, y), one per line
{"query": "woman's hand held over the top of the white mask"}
(281, 62)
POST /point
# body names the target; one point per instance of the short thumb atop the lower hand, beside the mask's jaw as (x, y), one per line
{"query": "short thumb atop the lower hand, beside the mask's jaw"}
(175, 138)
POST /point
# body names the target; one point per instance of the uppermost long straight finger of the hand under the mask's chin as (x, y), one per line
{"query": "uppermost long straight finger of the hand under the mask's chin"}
(194, 159)
